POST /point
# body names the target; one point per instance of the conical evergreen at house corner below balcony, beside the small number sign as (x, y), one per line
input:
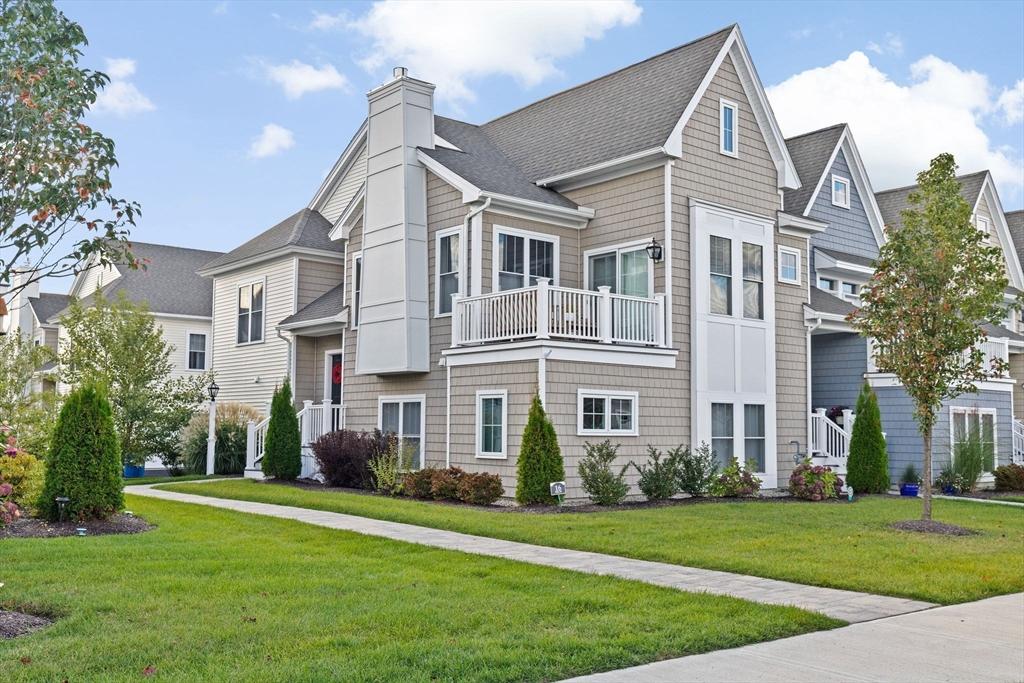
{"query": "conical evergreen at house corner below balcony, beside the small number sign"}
(540, 460)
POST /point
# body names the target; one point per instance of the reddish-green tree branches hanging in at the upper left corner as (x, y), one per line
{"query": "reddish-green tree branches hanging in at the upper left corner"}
(57, 209)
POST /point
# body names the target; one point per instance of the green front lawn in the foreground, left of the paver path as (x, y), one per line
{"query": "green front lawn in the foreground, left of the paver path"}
(225, 596)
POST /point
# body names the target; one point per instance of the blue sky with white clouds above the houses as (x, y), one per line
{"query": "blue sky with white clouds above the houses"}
(228, 115)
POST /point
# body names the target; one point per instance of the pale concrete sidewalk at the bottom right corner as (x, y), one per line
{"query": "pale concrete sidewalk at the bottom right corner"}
(977, 642)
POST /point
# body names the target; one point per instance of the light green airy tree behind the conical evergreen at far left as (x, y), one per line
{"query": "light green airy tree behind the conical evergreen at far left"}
(119, 347)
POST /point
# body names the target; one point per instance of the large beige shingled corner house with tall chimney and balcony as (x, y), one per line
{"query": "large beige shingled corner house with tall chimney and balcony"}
(445, 273)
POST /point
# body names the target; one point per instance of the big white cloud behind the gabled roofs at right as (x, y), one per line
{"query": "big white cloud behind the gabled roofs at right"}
(901, 129)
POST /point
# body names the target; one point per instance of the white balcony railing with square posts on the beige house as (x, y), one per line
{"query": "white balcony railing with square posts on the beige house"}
(546, 312)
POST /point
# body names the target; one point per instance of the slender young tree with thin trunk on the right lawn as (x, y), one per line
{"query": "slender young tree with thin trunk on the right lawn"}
(936, 281)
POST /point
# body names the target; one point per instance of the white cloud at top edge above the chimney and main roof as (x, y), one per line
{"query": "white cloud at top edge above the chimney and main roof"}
(452, 45)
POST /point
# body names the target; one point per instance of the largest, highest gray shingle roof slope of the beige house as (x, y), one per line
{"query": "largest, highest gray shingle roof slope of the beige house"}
(625, 112)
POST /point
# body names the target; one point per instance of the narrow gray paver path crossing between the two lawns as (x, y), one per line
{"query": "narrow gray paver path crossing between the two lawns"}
(847, 606)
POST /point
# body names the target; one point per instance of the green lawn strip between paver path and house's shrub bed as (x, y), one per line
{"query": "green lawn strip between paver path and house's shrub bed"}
(837, 545)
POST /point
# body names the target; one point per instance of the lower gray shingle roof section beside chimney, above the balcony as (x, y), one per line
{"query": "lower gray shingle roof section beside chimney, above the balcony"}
(485, 165)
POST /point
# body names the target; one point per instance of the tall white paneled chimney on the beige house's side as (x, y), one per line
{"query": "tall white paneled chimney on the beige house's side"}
(395, 318)
